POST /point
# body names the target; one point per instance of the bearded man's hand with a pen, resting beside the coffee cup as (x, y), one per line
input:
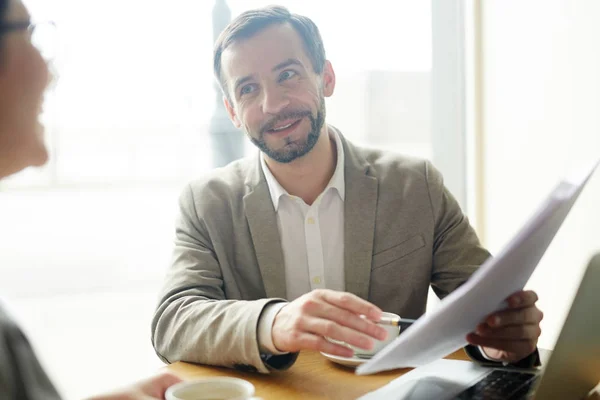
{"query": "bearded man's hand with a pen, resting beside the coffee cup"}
(304, 323)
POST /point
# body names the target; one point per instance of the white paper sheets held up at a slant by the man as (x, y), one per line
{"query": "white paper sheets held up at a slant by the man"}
(444, 330)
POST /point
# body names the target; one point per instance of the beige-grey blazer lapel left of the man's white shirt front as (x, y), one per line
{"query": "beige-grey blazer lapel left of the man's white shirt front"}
(262, 221)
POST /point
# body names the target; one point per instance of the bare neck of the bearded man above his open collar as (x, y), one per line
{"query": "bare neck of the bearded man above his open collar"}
(307, 176)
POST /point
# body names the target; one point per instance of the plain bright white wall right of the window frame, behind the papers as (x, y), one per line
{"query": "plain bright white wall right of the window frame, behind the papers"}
(541, 101)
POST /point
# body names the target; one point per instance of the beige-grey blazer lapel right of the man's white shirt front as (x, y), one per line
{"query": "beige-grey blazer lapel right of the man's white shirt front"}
(359, 221)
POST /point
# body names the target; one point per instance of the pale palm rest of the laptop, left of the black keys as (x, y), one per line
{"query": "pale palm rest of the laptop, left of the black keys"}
(440, 380)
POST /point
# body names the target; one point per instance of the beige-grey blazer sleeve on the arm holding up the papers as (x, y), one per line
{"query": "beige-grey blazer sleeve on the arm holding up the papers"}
(457, 252)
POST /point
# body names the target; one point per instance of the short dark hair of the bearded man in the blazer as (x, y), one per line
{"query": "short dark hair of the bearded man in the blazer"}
(251, 22)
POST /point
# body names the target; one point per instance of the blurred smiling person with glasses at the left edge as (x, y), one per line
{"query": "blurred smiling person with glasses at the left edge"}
(24, 77)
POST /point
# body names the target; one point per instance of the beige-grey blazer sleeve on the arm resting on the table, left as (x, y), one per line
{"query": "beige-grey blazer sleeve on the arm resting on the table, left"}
(194, 321)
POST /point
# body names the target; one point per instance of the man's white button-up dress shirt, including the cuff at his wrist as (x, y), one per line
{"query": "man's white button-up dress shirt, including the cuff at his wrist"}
(312, 240)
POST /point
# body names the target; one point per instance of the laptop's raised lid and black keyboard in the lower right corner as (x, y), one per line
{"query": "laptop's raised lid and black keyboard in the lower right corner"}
(573, 369)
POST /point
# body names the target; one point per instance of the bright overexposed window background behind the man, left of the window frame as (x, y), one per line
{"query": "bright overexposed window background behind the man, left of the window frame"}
(84, 242)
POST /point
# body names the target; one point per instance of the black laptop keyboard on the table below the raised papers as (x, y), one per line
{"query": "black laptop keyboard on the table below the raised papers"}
(500, 385)
